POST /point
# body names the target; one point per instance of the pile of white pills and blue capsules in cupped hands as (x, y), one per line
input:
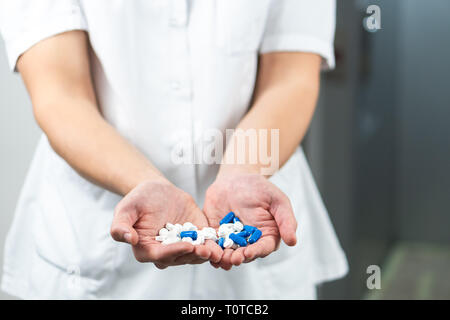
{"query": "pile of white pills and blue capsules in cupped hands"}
(232, 233)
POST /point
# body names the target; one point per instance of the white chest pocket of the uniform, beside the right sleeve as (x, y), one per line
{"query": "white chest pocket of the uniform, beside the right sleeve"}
(240, 25)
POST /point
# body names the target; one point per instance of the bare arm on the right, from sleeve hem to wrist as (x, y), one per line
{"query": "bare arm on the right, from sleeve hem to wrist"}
(284, 101)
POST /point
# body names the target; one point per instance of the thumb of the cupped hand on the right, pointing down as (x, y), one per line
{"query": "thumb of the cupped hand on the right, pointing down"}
(283, 213)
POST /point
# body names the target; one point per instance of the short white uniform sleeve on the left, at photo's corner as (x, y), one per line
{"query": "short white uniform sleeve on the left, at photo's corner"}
(23, 23)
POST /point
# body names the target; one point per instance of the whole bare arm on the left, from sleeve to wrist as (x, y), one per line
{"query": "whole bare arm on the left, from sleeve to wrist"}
(56, 72)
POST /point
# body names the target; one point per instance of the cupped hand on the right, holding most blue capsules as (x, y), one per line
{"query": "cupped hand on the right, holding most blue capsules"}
(257, 202)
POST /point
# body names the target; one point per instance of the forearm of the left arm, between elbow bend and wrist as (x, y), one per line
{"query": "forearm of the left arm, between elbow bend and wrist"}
(80, 135)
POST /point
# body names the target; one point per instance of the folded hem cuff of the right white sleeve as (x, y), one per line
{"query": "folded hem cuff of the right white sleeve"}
(299, 43)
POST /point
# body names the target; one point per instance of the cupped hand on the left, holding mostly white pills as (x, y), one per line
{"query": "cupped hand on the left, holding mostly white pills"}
(145, 210)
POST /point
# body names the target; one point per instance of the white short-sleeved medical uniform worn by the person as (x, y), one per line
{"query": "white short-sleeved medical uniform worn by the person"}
(164, 71)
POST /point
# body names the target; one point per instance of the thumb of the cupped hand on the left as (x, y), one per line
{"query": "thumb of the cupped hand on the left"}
(122, 225)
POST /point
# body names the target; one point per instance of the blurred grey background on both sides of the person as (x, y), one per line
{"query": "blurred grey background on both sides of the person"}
(379, 147)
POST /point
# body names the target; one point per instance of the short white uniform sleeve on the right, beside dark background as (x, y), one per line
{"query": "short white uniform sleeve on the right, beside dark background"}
(301, 25)
